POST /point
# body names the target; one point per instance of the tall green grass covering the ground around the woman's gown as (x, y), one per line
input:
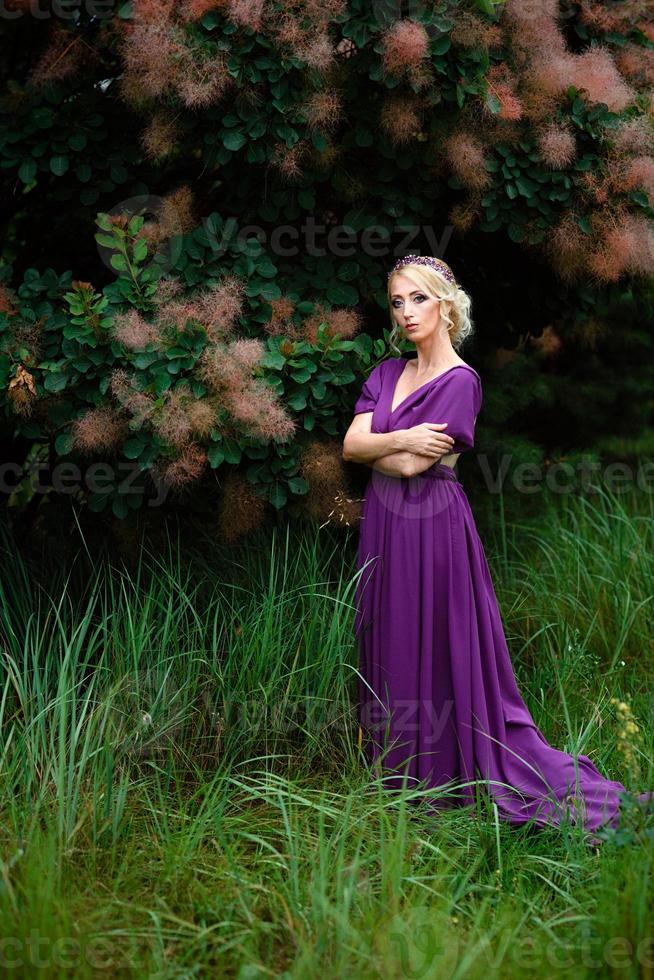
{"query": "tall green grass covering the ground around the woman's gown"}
(183, 792)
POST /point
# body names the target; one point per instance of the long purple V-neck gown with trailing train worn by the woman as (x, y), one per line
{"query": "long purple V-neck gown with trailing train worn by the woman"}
(438, 699)
